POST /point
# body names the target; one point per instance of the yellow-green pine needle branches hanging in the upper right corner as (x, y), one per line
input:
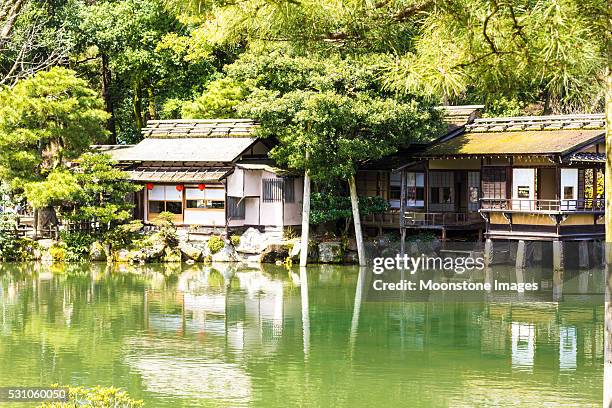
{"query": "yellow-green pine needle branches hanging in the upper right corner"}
(548, 52)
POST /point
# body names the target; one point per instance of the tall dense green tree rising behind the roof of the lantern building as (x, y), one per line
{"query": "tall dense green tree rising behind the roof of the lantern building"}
(135, 50)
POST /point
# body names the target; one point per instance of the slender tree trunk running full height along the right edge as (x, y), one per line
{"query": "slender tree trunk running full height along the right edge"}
(607, 386)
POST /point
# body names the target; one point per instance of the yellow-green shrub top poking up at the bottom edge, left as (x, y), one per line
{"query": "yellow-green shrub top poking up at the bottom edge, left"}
(96, 397)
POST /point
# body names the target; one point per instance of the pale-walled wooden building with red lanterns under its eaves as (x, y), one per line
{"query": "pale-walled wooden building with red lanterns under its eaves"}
(210, 173)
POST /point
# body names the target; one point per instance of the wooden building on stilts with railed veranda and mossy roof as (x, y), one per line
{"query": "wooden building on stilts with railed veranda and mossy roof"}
(521, 178)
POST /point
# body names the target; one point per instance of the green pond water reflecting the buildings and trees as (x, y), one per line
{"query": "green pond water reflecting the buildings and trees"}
(221, 336)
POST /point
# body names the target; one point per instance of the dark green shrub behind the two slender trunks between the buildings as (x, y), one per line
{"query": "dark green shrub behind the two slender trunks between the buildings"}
(327, 207)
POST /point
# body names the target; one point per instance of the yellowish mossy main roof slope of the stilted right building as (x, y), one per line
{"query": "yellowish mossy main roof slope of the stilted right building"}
(513, 143)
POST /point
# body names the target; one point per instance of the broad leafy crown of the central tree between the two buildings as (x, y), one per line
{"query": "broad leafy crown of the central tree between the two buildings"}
(334, 110)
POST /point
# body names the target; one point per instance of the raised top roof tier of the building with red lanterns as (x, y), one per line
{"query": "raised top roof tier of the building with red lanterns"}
(194, 128)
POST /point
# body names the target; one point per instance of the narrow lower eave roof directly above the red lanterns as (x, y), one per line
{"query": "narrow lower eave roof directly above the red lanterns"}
(178, 174)
